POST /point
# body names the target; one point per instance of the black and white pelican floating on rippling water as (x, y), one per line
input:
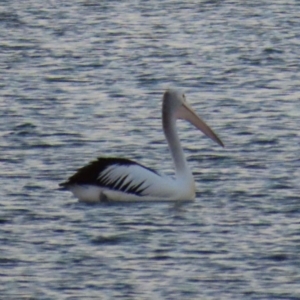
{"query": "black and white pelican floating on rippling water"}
(120, 179)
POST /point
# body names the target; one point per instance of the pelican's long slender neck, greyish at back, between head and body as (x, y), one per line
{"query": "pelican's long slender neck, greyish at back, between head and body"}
(169, 127)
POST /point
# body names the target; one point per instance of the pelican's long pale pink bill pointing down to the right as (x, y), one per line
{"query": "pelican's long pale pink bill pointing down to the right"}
(185, 112)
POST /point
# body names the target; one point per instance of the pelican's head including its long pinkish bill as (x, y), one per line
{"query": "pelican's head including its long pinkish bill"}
(175, 105)
